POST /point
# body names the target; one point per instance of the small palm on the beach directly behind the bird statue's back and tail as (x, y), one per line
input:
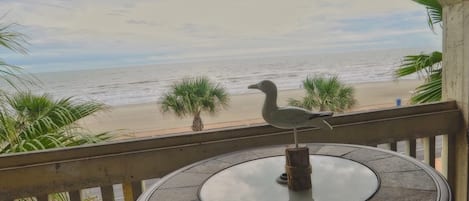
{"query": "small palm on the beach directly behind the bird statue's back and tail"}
(325, 93)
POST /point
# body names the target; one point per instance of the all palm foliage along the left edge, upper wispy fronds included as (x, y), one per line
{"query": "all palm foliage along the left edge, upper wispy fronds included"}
(31, 122)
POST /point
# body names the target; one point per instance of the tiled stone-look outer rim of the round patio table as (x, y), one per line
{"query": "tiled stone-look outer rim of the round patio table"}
(400, 177)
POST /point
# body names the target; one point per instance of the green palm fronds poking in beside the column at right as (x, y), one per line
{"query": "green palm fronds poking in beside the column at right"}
(428, 65)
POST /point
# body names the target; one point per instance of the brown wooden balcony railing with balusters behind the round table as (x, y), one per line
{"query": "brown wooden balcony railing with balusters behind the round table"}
(129, 162)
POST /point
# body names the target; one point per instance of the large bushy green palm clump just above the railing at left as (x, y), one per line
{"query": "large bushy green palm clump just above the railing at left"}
(29, 122)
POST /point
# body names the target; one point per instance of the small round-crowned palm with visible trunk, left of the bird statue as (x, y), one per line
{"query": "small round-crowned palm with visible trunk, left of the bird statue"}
(192, 97)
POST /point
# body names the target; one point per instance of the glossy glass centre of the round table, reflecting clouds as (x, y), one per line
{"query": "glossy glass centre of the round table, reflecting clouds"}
(333, 179)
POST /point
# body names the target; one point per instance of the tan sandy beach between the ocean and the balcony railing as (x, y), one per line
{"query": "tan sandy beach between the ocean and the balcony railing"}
(147, 120)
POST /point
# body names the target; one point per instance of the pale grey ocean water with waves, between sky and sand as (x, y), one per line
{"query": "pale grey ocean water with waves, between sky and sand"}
(146, 84)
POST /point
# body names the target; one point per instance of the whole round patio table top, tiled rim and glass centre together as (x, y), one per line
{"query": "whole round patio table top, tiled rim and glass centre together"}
(340, 172)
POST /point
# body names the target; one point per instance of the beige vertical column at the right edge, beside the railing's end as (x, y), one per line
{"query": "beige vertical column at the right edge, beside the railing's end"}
(456, 87)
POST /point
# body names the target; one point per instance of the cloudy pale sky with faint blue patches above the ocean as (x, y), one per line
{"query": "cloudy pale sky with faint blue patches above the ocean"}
(80, 34)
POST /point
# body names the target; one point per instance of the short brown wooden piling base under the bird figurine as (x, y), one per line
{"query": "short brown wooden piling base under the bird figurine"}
(298, 168)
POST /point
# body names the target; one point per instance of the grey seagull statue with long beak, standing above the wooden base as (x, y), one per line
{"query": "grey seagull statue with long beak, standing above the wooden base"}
(288, 117)
